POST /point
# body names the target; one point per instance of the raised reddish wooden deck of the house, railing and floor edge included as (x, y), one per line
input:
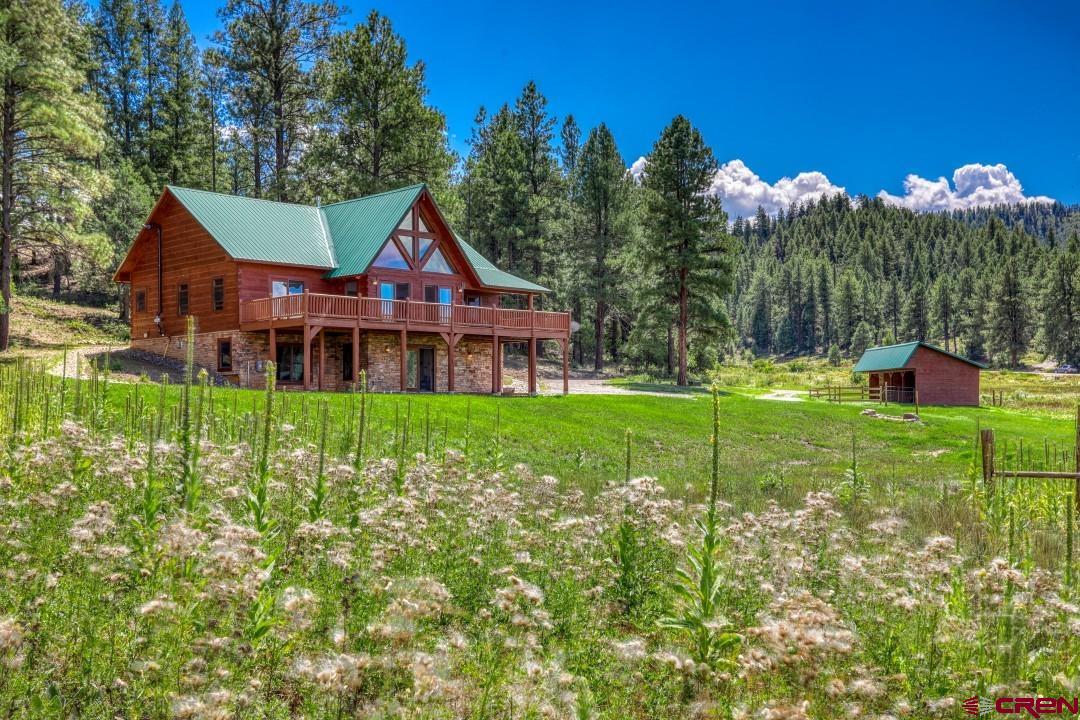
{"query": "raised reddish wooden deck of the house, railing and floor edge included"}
(314, 309)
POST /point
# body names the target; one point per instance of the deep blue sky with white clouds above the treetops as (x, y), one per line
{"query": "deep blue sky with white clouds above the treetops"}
(863, 94)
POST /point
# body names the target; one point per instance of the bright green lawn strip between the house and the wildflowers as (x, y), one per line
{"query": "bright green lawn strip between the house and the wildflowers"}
(787, 449)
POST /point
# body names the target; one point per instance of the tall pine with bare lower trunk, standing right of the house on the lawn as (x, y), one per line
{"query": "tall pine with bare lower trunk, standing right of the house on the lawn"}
(686, 244)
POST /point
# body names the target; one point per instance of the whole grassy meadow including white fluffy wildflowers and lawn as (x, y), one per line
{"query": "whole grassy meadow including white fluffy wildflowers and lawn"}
(197, 552)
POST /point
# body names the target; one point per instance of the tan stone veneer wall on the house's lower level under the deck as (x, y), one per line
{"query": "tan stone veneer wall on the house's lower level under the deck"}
(380, 356)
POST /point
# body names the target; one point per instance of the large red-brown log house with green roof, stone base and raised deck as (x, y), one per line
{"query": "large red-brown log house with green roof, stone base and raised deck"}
(381, 283)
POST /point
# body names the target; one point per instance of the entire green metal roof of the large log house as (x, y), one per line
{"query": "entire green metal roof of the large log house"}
(344, 238)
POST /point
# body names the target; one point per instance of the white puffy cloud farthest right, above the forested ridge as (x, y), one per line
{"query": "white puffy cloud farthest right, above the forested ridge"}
(974, 186)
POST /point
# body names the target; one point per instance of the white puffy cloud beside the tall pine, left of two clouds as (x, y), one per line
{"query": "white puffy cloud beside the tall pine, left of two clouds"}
(742, 192)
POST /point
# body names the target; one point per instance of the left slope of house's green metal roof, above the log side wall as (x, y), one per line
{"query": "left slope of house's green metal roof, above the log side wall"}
(262, 230)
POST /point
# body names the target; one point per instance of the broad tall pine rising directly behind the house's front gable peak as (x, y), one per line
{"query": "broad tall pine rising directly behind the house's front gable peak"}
(376, 131)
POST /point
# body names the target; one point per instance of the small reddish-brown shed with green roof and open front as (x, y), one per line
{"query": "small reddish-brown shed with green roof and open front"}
(921, 372)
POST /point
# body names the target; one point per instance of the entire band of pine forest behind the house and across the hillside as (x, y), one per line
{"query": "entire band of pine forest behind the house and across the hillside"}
(103, 107)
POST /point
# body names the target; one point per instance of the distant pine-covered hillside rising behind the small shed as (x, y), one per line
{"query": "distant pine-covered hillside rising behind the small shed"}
(861, 274)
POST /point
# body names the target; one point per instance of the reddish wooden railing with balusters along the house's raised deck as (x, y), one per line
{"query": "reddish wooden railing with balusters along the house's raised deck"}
(409, 313)
